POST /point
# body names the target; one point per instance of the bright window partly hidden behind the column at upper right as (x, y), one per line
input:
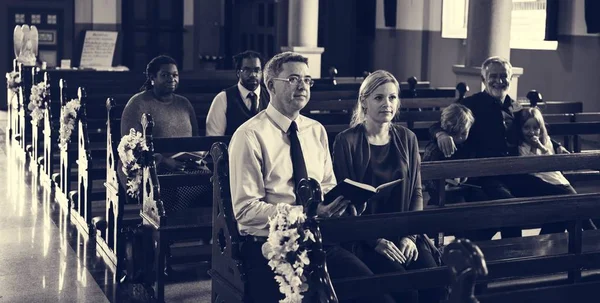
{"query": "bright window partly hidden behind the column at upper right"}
(528, 24)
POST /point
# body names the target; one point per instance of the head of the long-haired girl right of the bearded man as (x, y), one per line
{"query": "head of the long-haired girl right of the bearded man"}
(530, 123)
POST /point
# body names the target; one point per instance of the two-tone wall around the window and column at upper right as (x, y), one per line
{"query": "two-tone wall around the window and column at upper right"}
(415, 47)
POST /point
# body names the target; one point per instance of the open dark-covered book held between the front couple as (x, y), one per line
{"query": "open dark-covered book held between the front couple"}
(357, 192)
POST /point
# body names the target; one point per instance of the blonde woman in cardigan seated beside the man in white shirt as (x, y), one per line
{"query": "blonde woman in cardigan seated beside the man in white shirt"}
(375, 151)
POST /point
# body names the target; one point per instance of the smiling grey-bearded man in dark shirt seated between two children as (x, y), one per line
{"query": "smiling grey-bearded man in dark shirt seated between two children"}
(492, 134)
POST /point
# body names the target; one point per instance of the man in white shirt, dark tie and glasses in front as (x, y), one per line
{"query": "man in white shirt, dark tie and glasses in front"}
(267, 159)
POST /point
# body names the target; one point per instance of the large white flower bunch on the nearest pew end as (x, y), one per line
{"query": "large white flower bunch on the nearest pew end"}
(286, 250)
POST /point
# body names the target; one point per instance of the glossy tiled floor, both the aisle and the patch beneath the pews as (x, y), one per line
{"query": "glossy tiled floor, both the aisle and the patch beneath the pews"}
(43, 257)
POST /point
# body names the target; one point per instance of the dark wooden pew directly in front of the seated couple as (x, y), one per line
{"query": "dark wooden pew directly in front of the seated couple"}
(469, 217)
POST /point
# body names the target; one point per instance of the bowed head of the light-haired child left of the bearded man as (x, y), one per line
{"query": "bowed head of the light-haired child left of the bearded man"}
(456, 121)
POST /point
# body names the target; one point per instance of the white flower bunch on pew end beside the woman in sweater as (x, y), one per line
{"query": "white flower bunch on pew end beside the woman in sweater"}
(130, 151)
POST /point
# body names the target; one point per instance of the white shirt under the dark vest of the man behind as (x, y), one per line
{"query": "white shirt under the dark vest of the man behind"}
(216, 120)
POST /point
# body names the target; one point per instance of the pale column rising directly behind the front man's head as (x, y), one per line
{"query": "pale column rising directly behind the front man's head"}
(303, 28)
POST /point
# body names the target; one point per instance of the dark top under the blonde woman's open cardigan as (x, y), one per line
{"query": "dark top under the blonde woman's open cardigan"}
(385, 166)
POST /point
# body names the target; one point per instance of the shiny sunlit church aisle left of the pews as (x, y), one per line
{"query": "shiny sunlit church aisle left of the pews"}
(36, 262)
